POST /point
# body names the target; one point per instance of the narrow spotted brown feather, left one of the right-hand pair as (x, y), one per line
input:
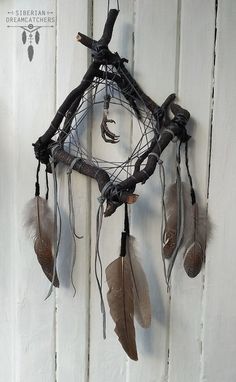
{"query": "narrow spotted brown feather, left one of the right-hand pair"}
(170, 233)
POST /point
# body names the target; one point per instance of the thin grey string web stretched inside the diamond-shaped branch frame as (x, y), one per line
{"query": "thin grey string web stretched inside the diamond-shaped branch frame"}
(90, 106)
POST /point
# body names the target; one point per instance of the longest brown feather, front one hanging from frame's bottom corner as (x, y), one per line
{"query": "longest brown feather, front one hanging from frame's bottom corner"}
(121, 302)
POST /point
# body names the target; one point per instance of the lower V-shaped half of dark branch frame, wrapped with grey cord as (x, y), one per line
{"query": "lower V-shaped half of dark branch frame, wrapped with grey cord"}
(123, 192)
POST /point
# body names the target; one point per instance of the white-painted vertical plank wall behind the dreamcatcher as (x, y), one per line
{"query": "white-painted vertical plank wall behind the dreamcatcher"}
(185, 46)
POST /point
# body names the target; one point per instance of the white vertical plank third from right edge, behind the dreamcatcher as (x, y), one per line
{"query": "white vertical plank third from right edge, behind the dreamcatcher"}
(154, 68)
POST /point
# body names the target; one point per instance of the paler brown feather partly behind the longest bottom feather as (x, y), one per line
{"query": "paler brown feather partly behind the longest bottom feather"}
(142, 305)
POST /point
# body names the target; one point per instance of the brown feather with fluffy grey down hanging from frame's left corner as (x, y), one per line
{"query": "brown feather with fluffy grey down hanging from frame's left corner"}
(39, 222)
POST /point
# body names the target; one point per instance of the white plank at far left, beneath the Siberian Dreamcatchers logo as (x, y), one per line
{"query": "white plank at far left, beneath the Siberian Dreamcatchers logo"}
(34, 84)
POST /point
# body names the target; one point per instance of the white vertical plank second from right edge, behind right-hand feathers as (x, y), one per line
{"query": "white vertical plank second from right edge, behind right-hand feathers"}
(194, 93)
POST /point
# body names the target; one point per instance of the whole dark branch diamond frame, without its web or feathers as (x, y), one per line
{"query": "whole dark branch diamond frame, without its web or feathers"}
(121, 192)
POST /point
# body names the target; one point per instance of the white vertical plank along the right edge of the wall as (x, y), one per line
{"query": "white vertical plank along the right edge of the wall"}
(219, 344)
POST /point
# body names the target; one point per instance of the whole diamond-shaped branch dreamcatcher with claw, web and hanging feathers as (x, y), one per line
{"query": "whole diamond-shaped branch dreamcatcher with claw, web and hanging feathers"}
(107, 85)
